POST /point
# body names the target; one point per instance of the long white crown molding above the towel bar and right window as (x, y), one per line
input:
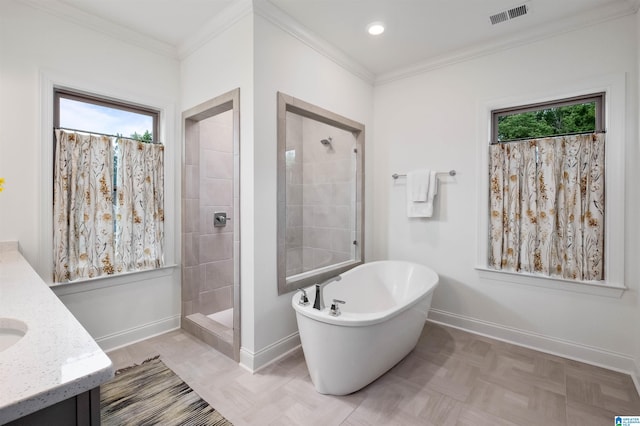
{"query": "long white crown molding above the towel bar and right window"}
(595, 16)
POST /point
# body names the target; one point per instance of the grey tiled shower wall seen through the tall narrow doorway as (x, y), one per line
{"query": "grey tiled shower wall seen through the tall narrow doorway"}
(208, 273)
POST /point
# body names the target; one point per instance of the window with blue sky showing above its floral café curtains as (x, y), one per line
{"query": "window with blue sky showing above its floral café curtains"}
(108, 188)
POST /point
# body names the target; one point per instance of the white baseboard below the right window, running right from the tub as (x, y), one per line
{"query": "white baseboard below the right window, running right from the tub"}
(564, 348)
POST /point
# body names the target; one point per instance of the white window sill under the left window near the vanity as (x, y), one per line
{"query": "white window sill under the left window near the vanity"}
(80, 286)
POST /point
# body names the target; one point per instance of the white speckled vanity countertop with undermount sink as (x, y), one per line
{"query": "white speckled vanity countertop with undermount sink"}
(57, 358)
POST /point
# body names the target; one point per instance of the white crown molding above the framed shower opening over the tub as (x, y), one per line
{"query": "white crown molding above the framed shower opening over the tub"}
(280, 19)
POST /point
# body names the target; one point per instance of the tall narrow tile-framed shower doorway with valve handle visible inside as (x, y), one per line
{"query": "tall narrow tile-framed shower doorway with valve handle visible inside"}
(210, 231)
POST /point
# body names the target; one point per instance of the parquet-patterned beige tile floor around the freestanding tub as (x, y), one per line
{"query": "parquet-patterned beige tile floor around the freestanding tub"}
(451, 378)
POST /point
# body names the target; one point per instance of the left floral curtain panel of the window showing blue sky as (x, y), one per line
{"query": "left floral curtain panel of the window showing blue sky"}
(82, 207)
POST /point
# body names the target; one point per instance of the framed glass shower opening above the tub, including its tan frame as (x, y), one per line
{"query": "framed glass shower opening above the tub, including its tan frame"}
(320, 194)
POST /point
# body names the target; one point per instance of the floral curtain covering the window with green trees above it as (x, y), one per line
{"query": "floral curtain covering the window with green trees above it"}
(547, 206)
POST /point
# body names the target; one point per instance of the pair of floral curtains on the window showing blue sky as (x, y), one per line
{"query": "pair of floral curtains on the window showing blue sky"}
(93, 236)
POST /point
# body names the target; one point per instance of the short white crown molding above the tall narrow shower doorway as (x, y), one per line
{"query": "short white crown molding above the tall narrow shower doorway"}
(224, 20)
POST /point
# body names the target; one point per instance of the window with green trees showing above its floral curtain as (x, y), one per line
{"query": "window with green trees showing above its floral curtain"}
(547, 189)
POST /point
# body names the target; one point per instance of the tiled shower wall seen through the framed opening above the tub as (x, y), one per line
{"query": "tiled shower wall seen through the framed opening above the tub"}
(320, 195)
